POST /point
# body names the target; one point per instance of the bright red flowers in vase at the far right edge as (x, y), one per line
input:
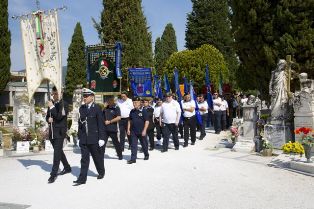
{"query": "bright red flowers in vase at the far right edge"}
(307, 140)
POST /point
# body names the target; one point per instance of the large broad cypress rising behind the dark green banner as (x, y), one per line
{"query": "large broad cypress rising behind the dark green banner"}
(124, 21)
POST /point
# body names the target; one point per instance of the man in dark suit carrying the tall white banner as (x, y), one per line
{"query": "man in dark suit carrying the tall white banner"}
(57, 120)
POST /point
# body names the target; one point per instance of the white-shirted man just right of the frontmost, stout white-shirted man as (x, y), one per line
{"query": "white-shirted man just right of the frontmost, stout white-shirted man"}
(189, 122)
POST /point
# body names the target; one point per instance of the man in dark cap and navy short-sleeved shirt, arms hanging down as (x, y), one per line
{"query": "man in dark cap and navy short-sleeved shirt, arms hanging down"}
(137, 127)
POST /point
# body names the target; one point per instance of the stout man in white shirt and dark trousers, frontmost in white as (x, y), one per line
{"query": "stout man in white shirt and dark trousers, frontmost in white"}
(170, 114)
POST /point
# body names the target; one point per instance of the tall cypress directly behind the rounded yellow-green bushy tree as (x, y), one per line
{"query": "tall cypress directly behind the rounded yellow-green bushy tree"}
(209, 23)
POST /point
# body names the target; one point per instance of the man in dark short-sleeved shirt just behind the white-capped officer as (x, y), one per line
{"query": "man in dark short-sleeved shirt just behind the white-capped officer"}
(112, 115)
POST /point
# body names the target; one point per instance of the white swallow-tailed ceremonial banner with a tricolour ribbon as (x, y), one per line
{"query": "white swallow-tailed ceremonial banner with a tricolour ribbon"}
(40, 35)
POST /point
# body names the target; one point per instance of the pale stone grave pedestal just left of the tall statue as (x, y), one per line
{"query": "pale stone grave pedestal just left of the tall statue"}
(247, 131)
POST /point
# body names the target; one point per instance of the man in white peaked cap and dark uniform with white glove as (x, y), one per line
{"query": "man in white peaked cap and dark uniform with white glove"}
(91, 132)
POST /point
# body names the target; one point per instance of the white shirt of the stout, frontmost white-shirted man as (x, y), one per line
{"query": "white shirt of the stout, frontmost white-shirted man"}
(170, 112)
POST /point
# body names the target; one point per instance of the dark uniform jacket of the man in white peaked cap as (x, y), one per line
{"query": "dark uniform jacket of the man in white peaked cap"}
(91, 125)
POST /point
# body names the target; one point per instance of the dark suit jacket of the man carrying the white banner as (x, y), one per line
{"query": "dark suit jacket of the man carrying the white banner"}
(59, 125)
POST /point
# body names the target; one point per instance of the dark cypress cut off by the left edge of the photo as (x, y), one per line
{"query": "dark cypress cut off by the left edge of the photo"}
(5, 43)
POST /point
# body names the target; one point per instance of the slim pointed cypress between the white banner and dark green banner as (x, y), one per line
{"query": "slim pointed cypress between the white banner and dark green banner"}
(76, 68)
